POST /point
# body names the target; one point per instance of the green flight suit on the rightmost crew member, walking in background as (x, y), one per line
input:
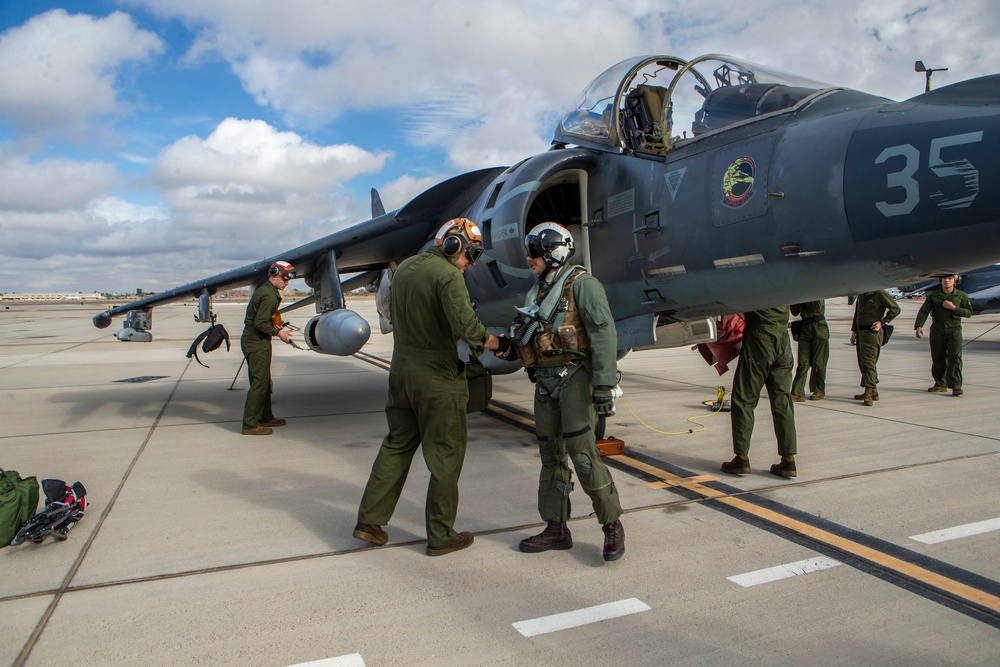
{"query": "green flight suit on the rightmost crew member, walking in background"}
(946, 335)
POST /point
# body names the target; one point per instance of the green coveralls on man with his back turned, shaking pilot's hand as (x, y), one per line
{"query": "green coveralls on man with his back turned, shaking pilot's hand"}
(428, 392)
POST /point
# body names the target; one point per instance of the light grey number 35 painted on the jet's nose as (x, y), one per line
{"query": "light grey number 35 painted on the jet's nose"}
(943, 169)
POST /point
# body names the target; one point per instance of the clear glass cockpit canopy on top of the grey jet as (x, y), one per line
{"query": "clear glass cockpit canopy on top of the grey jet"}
(650, 104)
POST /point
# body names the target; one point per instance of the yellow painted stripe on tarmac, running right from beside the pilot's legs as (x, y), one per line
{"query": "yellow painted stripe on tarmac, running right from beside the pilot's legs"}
(844, 544)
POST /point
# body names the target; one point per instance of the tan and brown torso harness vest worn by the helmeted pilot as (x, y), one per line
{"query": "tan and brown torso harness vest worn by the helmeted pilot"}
(551, 333)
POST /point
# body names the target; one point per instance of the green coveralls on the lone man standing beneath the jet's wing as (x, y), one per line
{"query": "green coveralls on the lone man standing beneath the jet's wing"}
(256, 345)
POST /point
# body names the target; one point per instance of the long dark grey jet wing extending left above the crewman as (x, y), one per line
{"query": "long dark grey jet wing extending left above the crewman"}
(363, 249)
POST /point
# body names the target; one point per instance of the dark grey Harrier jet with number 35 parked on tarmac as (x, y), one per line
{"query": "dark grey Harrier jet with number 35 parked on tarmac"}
(694, 190)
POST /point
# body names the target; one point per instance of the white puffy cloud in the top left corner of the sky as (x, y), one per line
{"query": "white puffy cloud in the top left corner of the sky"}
(58, 70)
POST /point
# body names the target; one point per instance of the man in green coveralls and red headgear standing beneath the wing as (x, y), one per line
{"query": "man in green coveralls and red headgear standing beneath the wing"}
(258, 330)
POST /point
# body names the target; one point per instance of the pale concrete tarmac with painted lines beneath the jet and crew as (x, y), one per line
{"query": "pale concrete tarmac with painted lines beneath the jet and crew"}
(203, 546)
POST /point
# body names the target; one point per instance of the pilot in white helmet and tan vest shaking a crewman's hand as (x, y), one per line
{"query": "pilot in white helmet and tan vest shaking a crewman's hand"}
(566, 338)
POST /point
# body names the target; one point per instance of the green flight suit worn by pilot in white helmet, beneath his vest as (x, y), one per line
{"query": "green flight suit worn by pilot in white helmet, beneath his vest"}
(565, 418)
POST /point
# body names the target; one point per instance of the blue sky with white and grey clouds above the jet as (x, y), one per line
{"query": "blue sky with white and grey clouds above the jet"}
(147, 143)
